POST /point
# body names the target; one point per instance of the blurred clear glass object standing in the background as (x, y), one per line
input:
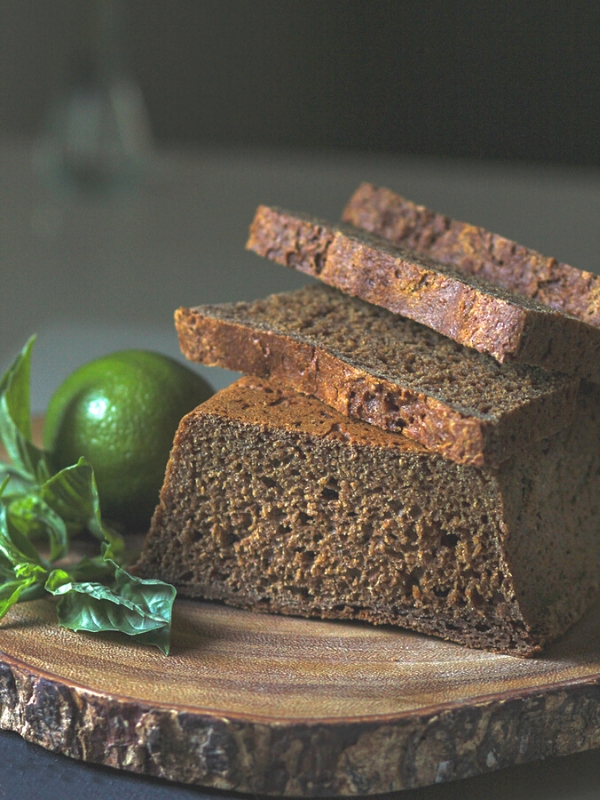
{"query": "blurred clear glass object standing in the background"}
(97, 137)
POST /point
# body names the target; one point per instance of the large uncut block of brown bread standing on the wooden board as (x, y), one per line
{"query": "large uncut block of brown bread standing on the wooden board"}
(276, 502)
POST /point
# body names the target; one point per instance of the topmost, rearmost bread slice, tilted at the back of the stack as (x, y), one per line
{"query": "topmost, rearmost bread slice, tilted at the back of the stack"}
(475, 251)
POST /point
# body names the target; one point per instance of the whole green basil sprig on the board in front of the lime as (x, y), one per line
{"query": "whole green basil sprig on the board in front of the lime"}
(39, 506)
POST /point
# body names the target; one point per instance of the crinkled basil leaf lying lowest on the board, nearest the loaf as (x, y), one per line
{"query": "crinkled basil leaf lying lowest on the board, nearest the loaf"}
(139, 608)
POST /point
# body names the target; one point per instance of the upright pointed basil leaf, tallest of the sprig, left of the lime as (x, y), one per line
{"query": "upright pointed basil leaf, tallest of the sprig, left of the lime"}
(15, 415)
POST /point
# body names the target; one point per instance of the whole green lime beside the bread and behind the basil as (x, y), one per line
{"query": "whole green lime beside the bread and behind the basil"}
(121, 412)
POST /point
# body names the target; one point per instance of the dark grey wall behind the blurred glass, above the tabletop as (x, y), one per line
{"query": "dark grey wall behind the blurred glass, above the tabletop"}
(501, 79)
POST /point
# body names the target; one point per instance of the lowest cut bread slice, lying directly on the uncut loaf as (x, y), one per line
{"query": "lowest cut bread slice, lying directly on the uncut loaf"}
(387, 370)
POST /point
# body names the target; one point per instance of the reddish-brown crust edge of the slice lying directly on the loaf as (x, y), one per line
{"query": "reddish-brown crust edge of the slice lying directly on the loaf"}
(207, 338)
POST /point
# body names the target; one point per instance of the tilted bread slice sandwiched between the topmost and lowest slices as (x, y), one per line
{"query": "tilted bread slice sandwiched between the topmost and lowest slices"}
(462, 307)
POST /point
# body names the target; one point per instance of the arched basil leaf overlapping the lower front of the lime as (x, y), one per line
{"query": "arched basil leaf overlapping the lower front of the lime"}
(73, 495)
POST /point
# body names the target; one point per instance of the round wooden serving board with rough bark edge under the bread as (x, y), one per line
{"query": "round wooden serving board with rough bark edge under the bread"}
(278, 705)
